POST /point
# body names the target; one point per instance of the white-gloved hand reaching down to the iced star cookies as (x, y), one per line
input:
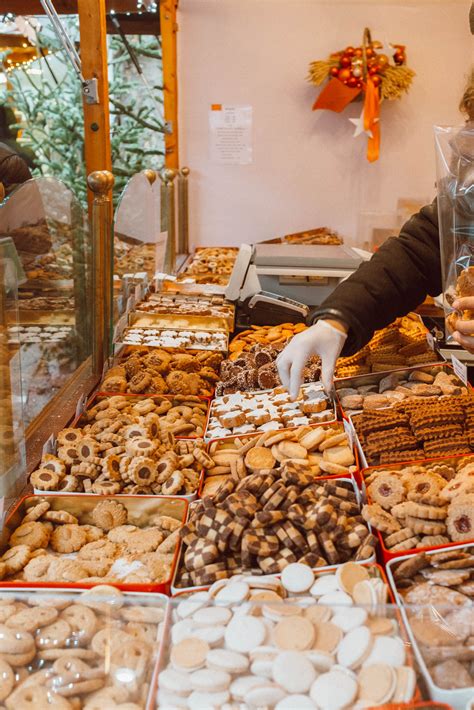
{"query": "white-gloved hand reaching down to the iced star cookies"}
(321, 339)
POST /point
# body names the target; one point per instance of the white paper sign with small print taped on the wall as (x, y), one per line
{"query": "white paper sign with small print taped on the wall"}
(230, 134)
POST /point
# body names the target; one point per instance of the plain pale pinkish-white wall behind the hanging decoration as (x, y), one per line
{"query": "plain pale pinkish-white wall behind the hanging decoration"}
(307, 169)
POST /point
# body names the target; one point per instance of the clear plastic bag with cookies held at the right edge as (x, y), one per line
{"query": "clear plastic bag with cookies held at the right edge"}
(455, 175)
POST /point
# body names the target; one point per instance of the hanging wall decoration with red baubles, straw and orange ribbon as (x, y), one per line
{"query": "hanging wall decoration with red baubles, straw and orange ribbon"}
(372, 72)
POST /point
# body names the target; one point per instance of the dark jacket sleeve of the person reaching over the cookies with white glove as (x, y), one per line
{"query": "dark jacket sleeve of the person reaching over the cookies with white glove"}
(395, 281)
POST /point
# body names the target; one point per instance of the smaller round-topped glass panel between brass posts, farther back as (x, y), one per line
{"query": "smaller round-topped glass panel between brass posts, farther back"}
(136, 238)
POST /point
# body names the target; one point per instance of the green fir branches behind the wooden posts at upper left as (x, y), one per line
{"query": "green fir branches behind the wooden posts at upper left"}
(51, 104)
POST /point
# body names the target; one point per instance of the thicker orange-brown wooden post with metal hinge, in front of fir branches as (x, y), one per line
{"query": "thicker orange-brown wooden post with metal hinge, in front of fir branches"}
(92, 25)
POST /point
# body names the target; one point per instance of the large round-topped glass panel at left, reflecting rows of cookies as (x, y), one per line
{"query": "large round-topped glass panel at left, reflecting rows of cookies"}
(49, 229)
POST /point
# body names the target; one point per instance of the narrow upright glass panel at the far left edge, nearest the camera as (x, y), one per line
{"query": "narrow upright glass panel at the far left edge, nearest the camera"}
(12, 444)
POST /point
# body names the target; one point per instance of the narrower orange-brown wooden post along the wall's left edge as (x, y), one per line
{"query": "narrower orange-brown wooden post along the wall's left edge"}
(169, 29)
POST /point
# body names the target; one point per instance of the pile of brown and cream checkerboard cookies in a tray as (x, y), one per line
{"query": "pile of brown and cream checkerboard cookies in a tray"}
(270, 519)
